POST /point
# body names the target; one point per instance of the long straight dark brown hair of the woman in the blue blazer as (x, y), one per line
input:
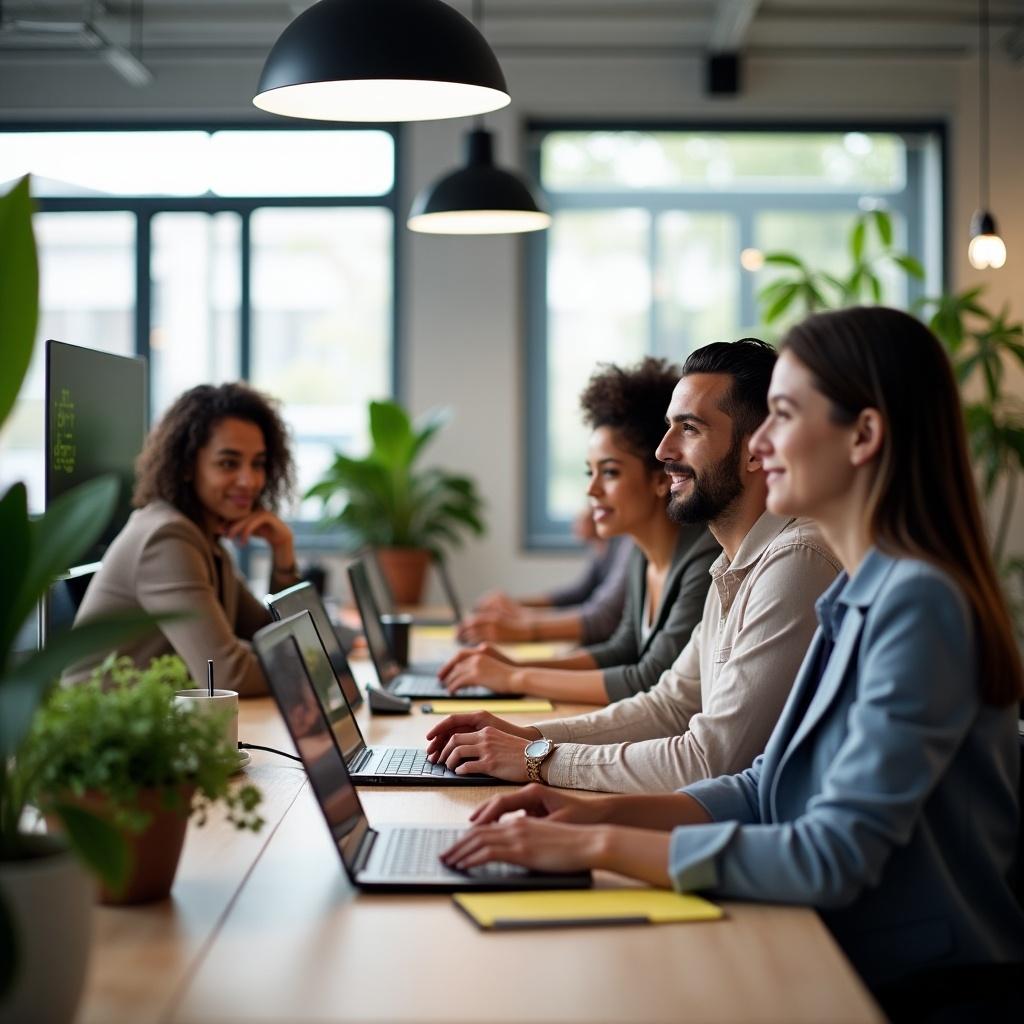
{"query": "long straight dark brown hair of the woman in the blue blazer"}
(923, 502)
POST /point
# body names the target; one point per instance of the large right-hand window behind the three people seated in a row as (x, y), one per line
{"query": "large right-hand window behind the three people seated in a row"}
(653, 231)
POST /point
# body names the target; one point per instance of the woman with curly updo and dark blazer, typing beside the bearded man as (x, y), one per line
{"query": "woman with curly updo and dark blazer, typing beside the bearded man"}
(668, 579)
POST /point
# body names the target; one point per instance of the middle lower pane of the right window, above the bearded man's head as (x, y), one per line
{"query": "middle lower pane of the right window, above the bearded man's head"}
(698, 282)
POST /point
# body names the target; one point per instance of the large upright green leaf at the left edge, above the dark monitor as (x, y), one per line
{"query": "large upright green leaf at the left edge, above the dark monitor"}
(19, 293)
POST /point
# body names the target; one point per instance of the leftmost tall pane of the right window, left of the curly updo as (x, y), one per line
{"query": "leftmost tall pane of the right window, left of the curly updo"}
(600, 294)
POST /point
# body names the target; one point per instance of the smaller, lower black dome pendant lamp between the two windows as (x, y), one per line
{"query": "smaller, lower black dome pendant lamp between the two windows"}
(479, 199)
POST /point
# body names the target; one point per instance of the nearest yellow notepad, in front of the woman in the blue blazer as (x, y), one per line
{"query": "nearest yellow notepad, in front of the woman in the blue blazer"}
(585, 907)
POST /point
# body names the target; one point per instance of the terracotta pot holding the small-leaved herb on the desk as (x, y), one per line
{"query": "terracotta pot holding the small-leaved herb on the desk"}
(153, 854)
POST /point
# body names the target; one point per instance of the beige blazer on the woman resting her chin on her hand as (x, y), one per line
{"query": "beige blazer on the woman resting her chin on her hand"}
(162, 562)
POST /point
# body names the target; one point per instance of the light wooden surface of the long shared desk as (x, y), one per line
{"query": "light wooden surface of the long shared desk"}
(267, 929)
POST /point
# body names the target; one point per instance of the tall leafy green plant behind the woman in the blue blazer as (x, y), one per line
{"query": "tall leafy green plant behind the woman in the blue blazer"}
(980, 345)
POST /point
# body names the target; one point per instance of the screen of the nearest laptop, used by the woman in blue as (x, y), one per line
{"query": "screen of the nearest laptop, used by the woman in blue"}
(279, 654)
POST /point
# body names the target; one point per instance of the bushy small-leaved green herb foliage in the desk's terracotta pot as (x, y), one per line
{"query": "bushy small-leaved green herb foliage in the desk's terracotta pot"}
(122, 734)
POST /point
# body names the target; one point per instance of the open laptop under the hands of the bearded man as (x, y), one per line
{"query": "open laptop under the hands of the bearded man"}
(292, 650)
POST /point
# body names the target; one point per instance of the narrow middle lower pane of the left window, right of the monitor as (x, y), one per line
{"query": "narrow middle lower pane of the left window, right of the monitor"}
(196, 273)
